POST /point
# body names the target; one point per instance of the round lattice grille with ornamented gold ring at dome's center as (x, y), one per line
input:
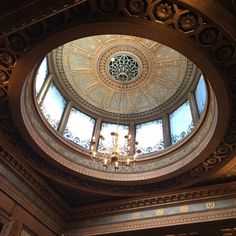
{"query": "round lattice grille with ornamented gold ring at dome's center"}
(108, 74)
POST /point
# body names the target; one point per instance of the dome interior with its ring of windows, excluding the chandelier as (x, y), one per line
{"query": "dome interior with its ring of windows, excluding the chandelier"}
(99, 84)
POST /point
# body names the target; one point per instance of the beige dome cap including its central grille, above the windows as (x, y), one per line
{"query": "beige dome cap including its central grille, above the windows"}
(98, 70)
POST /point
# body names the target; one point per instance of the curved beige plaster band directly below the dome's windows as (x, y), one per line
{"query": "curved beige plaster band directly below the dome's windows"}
(166, 163)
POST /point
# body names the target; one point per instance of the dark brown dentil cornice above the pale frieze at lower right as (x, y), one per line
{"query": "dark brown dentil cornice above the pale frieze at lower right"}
(160, 200)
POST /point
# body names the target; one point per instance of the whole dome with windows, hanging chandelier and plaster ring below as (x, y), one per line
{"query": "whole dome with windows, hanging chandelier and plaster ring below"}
(88, 84)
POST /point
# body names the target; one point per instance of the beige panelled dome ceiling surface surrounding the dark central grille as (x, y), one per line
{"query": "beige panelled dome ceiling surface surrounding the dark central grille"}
(85, 63)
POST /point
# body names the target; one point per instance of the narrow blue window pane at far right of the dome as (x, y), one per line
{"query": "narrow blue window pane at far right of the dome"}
(200, 94)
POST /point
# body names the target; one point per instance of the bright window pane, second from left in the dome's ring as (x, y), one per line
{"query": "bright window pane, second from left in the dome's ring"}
(53, 106)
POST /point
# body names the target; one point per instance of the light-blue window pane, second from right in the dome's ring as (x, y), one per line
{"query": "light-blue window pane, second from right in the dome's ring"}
(181, 122)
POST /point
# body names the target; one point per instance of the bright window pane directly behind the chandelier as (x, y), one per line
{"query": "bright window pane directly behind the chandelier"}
(106, 130)
